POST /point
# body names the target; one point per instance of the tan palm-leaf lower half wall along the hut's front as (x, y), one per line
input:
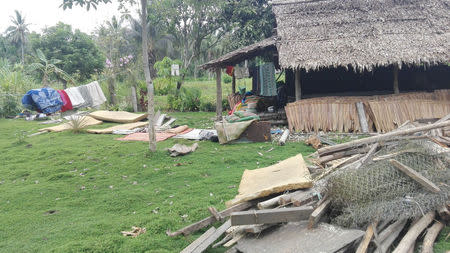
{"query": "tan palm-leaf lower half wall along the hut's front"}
(366, 114)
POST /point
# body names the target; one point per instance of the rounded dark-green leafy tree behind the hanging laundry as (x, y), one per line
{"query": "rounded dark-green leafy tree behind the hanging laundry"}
(77, 51)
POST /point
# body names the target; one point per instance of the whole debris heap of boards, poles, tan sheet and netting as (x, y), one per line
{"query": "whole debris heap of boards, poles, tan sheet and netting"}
(374, 194)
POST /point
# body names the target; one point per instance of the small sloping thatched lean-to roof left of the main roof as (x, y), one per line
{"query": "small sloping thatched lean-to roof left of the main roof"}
(242, 54)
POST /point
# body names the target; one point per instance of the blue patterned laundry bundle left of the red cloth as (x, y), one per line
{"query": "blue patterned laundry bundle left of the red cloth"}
(46, 100)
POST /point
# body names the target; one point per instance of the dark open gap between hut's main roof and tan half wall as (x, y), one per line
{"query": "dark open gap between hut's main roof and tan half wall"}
(347, 82)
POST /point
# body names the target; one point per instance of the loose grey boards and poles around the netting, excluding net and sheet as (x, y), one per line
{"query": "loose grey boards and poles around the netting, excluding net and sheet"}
(297, 221)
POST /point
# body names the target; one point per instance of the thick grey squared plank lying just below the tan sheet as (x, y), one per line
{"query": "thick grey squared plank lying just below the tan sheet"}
(271, 216)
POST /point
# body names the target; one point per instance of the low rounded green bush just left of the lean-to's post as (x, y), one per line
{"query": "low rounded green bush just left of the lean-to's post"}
(187, 99)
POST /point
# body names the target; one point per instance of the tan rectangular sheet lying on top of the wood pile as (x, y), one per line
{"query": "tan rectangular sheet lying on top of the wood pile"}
(290, 174)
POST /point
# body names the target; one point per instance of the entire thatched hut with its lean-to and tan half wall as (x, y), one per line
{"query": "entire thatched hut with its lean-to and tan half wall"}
(356, 66)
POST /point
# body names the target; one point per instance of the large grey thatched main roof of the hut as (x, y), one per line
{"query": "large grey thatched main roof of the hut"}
(362, 33)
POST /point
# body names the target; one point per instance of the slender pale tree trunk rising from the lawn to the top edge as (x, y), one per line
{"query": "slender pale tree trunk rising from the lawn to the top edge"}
(148, 79)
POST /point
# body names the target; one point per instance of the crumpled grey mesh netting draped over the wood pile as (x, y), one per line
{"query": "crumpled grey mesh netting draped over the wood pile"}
(379, 191)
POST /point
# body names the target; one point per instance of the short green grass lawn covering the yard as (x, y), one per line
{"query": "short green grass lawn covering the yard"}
(99, 186)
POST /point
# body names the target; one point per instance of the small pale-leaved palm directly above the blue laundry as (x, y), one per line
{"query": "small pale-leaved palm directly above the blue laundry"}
(48, 67)
